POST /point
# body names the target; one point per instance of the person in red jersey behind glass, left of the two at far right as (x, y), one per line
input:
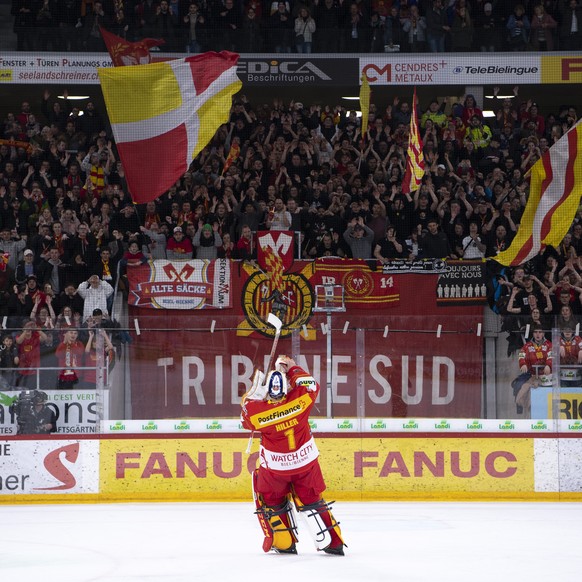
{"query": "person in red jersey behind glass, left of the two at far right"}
(535, 365)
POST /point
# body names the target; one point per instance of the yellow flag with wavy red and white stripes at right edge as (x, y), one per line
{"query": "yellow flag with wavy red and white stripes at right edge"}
(554, 197)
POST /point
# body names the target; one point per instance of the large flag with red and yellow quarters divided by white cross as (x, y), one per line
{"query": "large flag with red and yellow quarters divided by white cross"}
(163, 114)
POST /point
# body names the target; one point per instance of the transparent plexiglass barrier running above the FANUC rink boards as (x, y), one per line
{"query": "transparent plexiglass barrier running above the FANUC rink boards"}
(379, 366)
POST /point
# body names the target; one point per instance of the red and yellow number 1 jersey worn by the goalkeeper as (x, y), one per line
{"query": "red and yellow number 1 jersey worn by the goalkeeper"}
(287, 445)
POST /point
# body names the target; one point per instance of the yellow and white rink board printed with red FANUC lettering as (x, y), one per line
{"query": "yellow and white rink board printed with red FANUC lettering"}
(357, 467)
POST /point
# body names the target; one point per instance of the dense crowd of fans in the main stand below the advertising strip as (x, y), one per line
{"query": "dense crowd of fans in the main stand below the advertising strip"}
(67, 220)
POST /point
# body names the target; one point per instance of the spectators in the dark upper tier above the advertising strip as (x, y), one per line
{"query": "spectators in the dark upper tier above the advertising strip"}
(303, 26)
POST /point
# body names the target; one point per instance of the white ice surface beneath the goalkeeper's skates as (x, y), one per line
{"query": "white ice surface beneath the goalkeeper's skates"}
(188, 542)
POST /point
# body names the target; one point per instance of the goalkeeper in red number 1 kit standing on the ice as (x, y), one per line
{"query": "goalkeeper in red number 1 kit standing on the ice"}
(278, 407)
